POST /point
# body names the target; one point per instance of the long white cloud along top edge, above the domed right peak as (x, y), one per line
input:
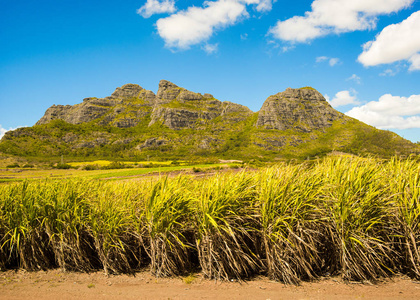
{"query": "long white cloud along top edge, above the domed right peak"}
(335, 16)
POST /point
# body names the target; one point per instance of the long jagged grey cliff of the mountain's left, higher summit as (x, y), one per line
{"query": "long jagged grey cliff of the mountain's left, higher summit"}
(130, 105)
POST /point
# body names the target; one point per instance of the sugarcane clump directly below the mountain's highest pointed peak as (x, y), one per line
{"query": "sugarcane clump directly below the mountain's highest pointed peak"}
(166, 219)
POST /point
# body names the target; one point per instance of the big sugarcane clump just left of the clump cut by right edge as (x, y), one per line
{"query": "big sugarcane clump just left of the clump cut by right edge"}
(357, 206)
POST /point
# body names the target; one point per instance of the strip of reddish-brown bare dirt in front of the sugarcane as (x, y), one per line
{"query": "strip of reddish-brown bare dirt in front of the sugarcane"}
(55, 284)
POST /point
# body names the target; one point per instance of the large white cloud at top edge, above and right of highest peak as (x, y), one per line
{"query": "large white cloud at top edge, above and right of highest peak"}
(197, 24)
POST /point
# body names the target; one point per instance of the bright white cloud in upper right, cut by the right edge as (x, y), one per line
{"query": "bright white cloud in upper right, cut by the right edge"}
(395, 42)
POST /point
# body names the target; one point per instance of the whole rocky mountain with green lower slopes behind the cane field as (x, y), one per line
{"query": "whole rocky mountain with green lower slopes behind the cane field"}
(176, 123)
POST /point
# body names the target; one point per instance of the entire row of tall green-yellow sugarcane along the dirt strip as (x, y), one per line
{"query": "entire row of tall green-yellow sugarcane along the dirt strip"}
(358, 218)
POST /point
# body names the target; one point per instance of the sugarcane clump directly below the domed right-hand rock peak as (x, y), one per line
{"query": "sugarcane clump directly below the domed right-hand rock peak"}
(289, 221)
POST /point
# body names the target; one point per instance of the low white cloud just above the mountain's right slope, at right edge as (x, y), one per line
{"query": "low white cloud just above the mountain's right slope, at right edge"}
(390, 112)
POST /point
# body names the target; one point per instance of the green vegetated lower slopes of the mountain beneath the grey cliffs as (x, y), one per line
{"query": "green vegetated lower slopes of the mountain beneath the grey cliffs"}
(215, 139)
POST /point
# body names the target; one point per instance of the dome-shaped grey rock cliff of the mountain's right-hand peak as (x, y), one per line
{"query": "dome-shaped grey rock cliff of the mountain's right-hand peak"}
(302, 109)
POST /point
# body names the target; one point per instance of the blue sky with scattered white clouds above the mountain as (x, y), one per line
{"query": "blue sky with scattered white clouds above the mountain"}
(362, 55)
